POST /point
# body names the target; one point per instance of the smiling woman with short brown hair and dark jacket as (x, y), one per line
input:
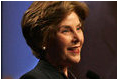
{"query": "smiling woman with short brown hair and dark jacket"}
(54, 31)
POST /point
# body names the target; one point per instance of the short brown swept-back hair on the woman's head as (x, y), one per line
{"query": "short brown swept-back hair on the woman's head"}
(40, 20)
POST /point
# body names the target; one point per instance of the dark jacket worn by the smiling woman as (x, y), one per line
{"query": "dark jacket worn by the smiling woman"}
(44, 70)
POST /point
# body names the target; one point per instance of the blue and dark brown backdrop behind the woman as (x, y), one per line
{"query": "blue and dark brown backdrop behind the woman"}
(99, 53)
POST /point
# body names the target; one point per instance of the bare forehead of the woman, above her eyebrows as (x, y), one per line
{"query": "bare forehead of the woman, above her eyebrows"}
(72, 20)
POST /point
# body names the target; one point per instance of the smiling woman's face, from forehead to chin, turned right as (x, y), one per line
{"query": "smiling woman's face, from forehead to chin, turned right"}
(66, 46)
